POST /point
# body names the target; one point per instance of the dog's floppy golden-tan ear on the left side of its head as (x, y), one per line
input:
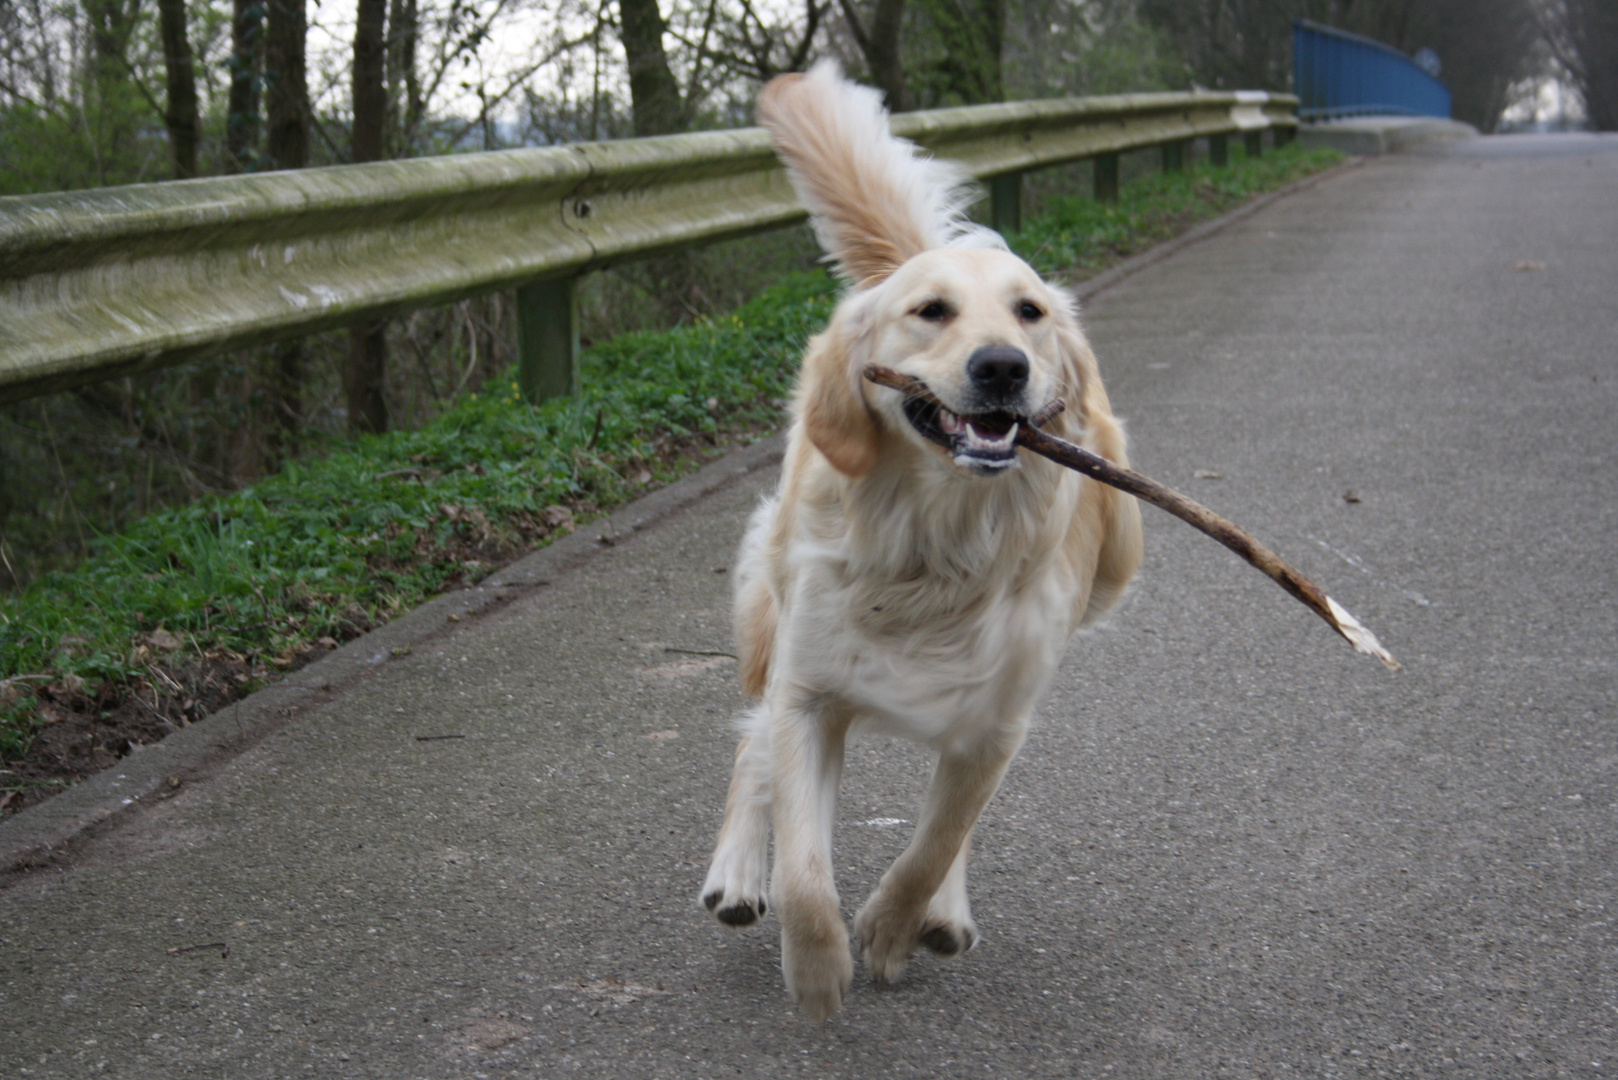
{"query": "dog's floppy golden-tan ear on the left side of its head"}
(832, 402)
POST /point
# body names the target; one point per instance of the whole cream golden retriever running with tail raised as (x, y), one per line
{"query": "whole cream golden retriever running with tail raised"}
(913, 576)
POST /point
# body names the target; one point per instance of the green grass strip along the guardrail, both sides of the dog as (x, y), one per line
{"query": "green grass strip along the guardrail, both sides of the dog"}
(332, 546)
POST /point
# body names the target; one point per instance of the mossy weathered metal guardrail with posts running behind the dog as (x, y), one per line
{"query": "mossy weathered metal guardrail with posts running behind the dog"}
(116, 281)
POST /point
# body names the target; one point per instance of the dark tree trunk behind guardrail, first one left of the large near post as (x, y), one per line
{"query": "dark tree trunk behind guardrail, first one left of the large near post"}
(365, 378)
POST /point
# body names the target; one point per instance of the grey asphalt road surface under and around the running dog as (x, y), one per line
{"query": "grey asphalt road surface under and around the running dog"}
(1232, 848)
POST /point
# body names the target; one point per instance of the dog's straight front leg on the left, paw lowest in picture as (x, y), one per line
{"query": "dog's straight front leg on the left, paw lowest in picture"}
(808, 765)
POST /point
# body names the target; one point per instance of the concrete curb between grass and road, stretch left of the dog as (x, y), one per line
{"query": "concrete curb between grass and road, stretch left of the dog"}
(43, 835)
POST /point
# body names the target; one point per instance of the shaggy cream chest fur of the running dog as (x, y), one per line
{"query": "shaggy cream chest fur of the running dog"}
(930, 602)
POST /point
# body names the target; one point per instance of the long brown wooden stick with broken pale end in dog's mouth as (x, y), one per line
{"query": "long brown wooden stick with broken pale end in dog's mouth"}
(1188, 511)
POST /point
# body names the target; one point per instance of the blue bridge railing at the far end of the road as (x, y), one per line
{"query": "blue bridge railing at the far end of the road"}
(1337, 74)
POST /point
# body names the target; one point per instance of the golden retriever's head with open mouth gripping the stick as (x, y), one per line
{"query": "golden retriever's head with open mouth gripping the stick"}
(989, 338)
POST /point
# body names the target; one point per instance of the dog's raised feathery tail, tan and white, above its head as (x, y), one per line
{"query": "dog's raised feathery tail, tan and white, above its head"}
(873, 200)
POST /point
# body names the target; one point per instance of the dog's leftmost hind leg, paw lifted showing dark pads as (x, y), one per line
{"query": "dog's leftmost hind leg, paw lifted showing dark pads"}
(739, 877)
